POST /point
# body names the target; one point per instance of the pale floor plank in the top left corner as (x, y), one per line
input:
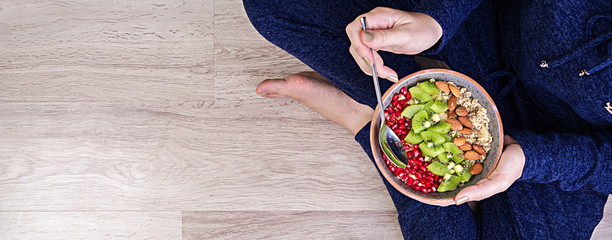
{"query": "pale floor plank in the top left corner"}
(106, 51)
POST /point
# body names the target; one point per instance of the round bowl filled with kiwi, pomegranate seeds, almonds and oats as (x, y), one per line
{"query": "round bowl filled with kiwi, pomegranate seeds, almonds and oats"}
(450, 128)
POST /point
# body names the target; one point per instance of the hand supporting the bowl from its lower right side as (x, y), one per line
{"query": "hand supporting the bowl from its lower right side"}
(509, 169)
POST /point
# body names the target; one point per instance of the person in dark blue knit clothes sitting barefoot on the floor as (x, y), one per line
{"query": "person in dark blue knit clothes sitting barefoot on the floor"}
(545, 63)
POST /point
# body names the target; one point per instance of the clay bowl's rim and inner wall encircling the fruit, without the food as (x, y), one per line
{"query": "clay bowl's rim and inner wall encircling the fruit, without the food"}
(495, 125)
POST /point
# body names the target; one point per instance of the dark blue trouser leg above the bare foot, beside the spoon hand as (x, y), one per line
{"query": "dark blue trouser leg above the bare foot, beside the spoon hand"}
(313, 31)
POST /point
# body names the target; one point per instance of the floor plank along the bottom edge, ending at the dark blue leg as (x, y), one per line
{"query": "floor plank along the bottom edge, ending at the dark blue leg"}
(291, 225)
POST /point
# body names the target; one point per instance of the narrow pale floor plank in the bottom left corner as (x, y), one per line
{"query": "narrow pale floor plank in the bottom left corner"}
(90, 225)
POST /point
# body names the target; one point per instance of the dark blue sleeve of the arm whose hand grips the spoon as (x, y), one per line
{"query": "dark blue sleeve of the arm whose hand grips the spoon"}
(449, 14)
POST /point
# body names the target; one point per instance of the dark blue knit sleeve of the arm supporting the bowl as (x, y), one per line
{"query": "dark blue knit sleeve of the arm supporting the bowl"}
(574, 161)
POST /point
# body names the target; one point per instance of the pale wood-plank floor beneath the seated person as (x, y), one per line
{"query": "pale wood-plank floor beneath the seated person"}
(139, 120)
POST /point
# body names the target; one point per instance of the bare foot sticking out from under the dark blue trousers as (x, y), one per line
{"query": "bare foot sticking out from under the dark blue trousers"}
(314, 91)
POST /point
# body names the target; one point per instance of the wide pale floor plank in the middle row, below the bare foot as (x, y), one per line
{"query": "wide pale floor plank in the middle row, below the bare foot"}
(228, 155)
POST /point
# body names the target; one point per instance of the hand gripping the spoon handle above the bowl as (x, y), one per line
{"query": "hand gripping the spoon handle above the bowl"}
(393, 31)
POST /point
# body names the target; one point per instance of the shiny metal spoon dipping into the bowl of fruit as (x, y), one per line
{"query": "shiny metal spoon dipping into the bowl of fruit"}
(389, 142)
